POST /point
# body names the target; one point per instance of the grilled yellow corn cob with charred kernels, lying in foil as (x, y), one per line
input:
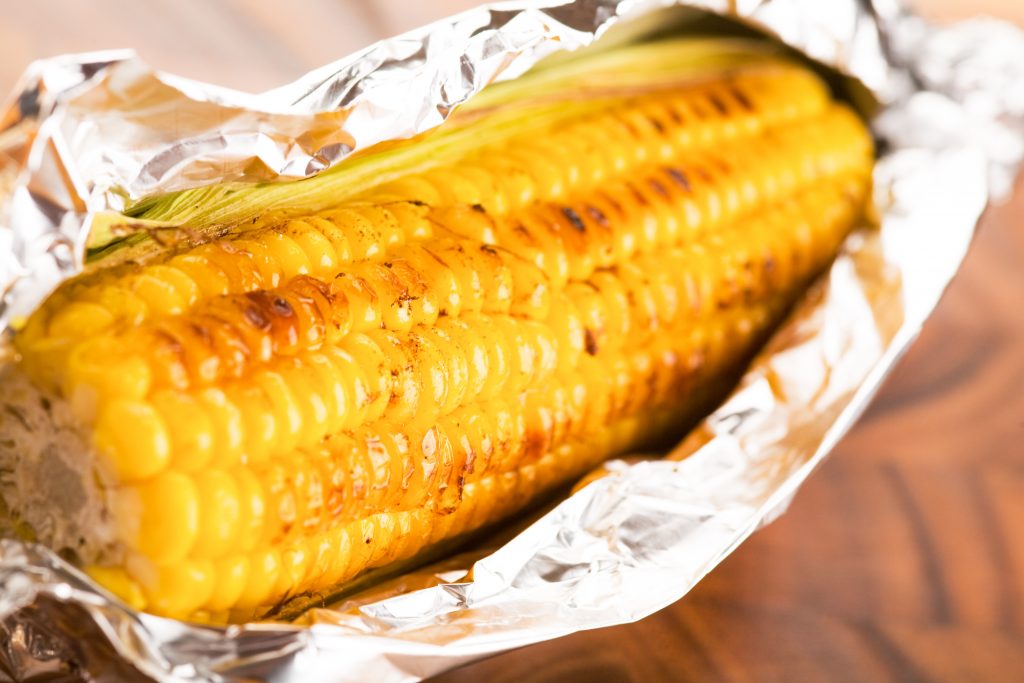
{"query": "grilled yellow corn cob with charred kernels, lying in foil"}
(283, 408)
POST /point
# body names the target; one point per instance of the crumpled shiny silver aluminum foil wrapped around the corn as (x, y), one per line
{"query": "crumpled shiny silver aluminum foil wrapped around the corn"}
(78, 140)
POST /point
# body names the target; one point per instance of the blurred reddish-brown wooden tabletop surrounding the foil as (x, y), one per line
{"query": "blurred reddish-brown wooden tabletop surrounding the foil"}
(902, 561)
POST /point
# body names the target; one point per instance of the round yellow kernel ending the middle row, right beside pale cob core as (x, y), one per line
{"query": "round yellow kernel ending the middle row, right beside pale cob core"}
(133, 439)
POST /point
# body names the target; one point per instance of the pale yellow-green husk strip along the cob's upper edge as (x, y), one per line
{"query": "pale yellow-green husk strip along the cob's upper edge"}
(556, 91)
